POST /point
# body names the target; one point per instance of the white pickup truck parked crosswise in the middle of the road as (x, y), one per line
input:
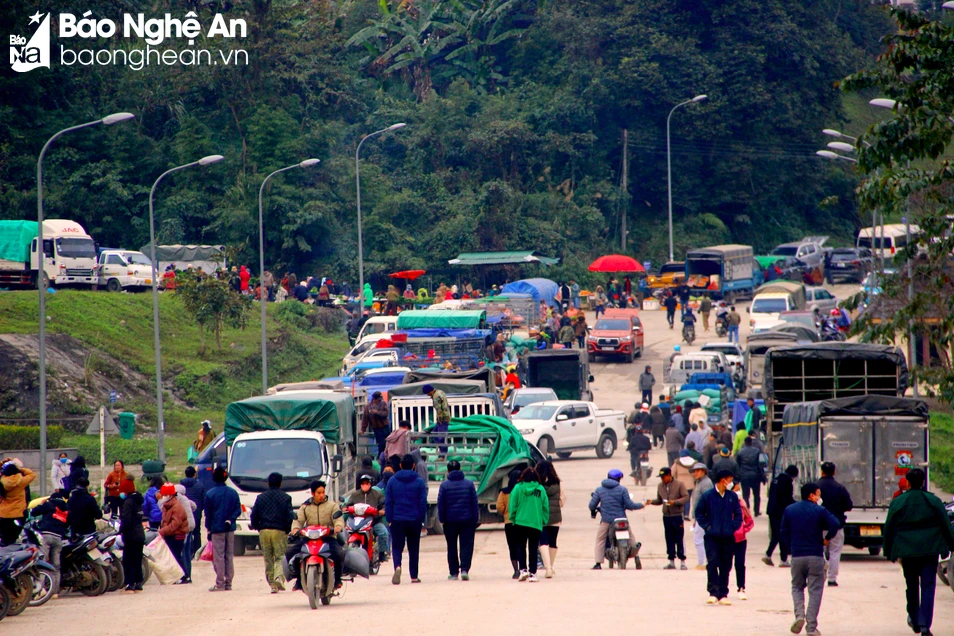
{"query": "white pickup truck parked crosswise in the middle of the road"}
(566, 426)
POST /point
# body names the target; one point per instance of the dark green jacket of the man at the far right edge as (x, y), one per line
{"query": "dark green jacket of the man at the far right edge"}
(917, 525)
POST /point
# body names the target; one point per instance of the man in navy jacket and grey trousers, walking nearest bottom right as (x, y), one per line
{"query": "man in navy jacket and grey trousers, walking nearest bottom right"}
(808, 527)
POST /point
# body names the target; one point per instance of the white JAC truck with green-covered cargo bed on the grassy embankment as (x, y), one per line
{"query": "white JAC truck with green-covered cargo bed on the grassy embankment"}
(69, 254)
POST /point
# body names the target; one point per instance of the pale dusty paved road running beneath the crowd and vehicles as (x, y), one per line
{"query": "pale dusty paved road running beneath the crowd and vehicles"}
(870, 599)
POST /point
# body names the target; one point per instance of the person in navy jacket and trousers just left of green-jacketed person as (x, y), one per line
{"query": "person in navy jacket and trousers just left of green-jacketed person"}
(457, 511)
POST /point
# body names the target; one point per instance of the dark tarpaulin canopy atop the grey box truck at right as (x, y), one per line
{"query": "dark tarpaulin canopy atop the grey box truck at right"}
(800, 420)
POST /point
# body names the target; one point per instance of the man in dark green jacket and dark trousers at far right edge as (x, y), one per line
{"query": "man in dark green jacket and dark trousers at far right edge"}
(917, 531)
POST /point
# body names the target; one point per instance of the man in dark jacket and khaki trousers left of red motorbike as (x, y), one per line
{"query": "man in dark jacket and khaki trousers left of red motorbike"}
(272, 517)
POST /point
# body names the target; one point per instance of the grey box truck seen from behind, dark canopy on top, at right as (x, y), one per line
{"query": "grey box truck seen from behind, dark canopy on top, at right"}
(873, 440)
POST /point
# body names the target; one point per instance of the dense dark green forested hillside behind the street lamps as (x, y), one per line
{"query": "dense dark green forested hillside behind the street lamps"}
(515, 112)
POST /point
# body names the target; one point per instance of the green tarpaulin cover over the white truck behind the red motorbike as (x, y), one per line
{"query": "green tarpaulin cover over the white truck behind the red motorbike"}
(327, 412)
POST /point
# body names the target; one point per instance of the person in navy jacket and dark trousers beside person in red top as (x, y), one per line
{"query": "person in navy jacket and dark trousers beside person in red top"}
(719, 514)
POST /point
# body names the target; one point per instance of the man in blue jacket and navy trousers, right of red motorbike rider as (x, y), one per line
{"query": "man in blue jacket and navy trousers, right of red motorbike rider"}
(406, 497)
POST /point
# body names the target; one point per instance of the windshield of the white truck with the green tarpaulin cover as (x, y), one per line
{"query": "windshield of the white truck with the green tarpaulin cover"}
(299, 460)
